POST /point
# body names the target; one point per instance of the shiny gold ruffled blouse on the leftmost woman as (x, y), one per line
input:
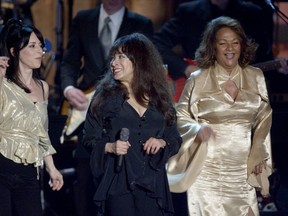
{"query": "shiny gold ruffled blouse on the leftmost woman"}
(23, 126)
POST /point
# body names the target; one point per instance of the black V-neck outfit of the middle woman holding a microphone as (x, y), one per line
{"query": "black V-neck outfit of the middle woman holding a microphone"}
(140, 172)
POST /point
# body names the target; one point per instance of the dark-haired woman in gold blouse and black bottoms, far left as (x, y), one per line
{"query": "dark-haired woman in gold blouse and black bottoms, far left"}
(24, 140)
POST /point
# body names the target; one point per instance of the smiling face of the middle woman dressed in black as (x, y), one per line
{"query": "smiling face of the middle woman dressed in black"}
(122, 68)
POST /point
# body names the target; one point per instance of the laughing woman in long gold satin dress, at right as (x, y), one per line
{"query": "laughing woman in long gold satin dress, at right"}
(224, 118)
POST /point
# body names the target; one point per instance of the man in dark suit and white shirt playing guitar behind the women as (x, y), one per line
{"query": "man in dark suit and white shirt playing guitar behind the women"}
(85, 59)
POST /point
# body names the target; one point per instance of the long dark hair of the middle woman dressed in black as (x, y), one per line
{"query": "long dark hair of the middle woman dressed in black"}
(149, 77)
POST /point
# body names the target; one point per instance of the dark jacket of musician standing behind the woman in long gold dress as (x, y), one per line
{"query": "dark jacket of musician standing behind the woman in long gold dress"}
(189, 22)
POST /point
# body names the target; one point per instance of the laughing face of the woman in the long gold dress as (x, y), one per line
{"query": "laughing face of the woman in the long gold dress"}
(228, 48)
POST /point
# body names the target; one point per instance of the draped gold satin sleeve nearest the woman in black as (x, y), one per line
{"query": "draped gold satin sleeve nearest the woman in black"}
(184, 167)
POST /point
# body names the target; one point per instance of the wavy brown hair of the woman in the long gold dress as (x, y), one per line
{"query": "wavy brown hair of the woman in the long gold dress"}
(206, 54)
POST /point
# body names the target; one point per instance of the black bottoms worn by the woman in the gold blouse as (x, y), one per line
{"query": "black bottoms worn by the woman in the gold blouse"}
(19, 183)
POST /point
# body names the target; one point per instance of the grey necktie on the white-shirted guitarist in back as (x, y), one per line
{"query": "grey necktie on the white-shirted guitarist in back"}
(105, 36)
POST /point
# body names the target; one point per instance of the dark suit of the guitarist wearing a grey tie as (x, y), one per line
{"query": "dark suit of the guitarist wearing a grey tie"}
(84, 43)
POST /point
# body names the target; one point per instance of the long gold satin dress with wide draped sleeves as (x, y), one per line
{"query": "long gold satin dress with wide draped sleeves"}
(217, 174)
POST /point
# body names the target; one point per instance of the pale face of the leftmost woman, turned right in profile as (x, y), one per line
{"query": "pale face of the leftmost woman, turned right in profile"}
(31, 55)
